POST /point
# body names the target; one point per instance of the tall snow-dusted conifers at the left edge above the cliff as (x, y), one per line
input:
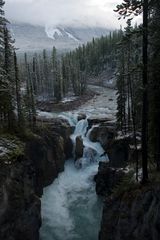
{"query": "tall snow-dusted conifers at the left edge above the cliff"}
(10, 99)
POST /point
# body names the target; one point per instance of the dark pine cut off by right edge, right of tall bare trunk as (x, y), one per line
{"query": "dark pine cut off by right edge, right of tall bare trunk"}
(154, 84)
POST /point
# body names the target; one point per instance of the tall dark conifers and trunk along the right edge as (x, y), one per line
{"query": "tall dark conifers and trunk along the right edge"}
(138, 79)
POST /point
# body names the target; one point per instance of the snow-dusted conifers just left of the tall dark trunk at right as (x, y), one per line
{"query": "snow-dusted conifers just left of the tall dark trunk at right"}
(129, 79)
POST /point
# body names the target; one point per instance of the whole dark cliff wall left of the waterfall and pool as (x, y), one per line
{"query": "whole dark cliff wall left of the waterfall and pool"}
(22, 178)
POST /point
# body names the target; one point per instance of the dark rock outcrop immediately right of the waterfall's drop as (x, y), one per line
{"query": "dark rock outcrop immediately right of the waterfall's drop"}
(117, 149)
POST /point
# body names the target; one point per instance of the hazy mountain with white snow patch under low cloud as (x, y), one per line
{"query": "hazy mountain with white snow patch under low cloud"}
(34, 38)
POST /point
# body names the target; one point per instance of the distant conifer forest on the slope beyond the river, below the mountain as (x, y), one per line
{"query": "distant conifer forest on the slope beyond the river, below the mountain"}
(54, 76)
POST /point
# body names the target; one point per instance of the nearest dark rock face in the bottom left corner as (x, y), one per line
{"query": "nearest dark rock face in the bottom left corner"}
(20, 216)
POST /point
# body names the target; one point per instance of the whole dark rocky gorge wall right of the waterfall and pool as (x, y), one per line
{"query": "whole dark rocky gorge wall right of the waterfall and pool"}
(131, 210)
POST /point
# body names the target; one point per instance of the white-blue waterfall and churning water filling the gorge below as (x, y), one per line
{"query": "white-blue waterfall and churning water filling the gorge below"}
(71, 209)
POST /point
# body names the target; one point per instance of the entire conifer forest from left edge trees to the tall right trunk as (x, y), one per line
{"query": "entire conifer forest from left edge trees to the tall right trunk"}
(133, 54)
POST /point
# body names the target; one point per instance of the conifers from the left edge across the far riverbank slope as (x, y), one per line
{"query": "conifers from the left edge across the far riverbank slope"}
(46, 76)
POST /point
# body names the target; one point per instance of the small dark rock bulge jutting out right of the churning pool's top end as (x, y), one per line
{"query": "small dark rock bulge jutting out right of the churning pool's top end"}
(107, 178)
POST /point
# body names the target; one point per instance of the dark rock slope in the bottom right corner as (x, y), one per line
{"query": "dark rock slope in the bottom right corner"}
(134, 215)
